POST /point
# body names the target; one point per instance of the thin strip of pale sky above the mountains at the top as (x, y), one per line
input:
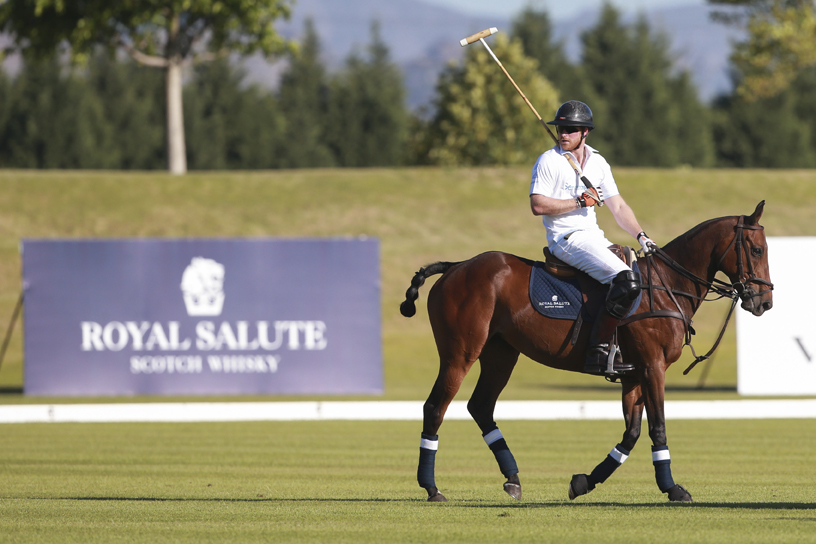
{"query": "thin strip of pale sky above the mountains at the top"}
(556, 9)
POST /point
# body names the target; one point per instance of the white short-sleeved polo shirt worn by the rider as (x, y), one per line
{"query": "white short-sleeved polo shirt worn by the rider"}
(553, 176)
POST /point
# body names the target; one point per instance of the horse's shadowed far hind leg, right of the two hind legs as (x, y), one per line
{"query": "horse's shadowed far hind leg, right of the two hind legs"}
(497, 360)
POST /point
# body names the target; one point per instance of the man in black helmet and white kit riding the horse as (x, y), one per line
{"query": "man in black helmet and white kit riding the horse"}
(567, 205)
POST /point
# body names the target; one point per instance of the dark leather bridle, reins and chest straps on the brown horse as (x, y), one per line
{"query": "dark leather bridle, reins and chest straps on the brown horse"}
(739, 290)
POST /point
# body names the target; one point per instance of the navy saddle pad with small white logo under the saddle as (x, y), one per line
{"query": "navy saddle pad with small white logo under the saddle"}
(560, 298)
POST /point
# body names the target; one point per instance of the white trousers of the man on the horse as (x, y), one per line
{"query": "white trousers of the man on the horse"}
(588, 250)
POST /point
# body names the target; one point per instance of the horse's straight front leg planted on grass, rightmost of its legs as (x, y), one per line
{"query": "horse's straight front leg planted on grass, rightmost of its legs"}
(661, 459)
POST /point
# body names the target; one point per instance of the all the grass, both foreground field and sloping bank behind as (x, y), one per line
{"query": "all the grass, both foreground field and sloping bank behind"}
(752, 481)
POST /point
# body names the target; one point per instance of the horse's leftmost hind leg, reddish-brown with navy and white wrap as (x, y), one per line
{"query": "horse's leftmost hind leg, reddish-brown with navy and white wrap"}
(451, 373)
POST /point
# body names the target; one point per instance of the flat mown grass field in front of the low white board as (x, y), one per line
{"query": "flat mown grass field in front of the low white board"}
(752, 482)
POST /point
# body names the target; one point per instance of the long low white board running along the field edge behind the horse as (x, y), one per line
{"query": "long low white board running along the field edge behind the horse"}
(389, 411)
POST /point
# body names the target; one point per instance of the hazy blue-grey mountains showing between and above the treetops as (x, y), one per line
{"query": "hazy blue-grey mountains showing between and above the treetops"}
(423, 38)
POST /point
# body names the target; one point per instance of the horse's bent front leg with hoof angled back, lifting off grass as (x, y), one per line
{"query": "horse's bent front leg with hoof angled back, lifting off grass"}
(581, 484)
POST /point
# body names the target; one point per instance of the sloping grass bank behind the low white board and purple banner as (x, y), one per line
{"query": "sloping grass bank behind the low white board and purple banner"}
(419, 215)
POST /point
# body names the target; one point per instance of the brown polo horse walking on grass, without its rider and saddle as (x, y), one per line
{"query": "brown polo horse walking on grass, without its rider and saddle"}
(480, 309)
